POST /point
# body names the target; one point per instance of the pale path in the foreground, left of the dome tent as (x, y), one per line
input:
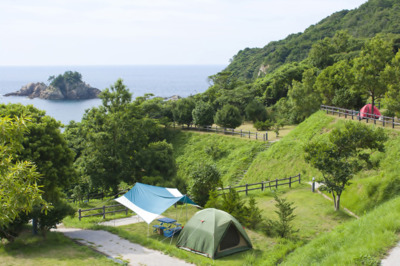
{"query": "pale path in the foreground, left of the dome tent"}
(119, 248)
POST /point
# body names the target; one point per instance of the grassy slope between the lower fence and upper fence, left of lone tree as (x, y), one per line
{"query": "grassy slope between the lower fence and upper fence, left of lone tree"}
(286, 157)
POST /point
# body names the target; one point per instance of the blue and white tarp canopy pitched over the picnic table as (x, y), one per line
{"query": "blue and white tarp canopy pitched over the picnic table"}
(150, 201)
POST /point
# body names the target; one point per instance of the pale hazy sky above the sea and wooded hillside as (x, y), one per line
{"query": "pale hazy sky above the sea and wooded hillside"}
(151, 32)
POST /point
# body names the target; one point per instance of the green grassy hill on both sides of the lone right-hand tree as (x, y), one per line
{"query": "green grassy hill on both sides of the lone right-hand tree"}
(286, 158)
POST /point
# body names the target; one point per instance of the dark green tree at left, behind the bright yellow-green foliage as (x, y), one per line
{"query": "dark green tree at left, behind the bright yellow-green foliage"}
(45, 146)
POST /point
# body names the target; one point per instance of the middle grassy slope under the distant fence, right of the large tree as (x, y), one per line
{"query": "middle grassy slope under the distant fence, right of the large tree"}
(236, 154)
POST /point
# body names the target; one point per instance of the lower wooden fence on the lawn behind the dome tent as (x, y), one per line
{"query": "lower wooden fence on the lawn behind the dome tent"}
(266, 184)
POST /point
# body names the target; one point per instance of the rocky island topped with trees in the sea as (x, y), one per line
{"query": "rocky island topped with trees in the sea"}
(68, 86)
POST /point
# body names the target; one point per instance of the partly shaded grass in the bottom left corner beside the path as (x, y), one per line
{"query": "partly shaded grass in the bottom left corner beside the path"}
(56, 249)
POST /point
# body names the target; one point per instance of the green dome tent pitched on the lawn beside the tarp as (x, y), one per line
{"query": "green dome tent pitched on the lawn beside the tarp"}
(213, 233)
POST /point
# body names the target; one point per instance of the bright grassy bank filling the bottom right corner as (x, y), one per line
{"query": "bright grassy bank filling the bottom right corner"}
(359, 242)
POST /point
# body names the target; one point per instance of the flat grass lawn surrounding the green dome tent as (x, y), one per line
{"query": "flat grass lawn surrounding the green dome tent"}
(315, 215)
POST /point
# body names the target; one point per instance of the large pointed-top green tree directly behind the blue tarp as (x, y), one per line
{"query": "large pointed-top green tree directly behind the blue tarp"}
(114, 143)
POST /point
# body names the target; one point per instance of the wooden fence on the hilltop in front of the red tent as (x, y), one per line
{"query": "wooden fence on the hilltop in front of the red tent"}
(346, 113)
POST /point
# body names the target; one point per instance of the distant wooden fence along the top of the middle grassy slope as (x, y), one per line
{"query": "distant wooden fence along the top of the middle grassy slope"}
(230, 131)
